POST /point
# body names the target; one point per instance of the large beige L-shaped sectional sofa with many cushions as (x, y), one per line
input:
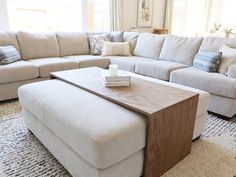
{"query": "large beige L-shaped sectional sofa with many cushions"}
(168, 58)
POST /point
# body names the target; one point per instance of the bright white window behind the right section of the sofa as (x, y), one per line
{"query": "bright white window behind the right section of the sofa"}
(198, 17)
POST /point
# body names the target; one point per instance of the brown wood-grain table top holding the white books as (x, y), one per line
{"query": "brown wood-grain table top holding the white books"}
(143, 96)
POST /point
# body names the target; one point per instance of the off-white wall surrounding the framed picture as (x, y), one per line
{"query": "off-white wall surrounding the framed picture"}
(129, 14)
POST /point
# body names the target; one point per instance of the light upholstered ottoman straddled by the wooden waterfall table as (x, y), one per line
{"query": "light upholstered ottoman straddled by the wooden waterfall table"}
(90, 136)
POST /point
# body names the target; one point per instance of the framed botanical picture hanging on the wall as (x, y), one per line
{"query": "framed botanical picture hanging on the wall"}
(145, 13)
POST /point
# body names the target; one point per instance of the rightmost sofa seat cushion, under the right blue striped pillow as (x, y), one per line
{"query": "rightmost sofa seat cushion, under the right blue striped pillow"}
(213, 83)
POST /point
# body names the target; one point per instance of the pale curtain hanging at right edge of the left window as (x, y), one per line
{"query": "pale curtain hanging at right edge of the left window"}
(115, 15)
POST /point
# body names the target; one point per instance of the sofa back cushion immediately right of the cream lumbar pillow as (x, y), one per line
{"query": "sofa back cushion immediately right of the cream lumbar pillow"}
(149, 45)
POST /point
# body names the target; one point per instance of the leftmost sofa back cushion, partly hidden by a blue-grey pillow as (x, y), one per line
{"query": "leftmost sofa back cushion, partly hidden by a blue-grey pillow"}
(9, 38)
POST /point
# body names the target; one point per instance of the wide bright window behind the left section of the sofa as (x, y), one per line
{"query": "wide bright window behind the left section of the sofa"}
(59, 15)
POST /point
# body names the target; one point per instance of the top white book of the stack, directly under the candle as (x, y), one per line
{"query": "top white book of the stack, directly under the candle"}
(121, 76)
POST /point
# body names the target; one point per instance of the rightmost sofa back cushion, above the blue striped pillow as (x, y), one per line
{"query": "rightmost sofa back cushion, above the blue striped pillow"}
(213, 44)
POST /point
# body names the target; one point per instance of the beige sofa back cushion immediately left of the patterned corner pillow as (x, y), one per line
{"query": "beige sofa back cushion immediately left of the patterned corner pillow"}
(73, 43)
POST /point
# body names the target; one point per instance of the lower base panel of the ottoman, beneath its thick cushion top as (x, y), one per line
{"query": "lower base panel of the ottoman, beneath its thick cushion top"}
(77, 166)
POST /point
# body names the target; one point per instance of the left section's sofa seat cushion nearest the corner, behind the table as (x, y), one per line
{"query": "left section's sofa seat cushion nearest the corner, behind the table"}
(85, 61)
